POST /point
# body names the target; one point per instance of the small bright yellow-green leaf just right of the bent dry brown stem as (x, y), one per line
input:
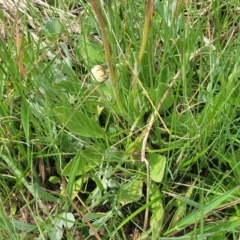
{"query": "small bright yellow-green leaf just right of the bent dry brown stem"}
(157, 165)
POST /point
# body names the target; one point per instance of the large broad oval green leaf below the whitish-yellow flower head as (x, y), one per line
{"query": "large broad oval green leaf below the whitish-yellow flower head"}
(78, 123)
